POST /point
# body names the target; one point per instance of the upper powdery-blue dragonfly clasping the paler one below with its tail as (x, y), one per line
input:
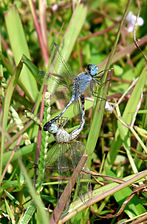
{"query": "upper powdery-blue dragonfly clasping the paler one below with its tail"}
(81, 83)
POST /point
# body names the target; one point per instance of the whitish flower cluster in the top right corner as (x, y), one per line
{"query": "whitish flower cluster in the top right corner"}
(131, 18)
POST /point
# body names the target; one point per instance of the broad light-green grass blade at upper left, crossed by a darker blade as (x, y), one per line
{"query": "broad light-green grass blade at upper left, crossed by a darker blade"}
(19, 47)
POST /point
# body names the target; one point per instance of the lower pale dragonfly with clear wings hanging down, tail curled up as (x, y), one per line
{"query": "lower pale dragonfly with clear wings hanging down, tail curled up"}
(70, 150)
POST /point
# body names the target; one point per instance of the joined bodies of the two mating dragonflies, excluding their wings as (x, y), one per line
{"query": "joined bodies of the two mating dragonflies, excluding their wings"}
(81, 83)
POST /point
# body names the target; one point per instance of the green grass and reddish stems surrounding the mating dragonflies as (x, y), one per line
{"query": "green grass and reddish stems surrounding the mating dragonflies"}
(87, 32)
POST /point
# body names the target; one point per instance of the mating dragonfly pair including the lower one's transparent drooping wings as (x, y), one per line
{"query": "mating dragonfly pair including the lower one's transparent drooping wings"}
(55, 126)
